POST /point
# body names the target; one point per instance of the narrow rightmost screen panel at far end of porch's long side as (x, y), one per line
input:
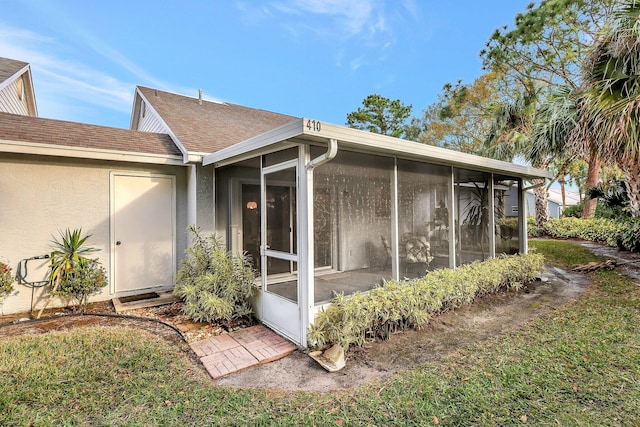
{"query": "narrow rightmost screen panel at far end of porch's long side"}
(507, 219)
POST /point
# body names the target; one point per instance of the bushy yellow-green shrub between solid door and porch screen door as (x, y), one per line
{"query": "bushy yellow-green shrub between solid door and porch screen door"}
(214, 284)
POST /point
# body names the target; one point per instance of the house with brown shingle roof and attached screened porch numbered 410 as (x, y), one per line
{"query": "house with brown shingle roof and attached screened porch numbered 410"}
(320, 208)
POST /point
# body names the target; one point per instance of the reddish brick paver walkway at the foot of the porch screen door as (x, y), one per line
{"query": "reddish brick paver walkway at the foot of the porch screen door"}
(224, 354)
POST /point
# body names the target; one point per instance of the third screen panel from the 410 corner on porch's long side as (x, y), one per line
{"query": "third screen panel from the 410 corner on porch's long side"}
(472, 215)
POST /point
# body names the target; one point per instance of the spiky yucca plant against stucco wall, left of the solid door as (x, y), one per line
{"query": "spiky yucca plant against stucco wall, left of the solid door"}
(68, 257)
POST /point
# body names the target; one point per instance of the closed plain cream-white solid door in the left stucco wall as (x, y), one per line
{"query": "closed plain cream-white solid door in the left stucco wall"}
(142, 232)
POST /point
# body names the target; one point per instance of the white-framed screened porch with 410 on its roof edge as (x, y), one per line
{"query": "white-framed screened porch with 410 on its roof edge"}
(323, 209)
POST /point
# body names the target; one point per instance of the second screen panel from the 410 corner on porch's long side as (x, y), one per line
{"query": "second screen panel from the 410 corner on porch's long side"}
(423, 217)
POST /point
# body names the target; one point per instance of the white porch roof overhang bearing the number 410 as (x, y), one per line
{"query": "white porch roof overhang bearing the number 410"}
(310, 131)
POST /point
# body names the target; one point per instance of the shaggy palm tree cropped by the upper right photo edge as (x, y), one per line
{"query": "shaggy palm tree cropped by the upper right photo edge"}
(611, 103)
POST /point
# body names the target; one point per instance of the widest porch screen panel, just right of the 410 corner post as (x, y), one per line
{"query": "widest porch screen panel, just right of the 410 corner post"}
(352, 220)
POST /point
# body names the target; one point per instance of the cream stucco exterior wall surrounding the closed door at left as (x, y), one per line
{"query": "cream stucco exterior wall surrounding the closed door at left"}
(41, 195)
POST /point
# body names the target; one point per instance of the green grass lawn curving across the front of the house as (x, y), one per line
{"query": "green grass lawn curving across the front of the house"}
(580, 365)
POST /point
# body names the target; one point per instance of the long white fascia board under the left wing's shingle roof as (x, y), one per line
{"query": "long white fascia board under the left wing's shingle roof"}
(21, 147)
